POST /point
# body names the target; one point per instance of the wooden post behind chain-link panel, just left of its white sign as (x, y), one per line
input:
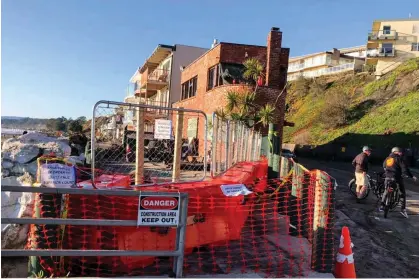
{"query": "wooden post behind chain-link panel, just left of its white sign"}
(139, 148)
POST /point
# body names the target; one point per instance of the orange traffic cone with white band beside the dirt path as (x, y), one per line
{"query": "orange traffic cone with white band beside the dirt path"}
(345, 266)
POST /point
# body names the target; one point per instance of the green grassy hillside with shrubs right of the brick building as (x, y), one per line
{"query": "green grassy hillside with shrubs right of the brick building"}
(330, 108)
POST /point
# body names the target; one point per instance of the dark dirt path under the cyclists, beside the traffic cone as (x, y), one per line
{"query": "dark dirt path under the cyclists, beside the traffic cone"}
(383, 247)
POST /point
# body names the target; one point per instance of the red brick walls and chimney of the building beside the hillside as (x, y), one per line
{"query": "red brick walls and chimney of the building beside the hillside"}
(273, 56)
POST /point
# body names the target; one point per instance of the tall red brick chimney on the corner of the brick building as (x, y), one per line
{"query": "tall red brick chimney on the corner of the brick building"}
(273, 58)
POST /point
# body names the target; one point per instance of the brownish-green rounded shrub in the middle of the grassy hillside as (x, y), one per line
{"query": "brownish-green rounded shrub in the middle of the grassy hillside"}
(336, 111)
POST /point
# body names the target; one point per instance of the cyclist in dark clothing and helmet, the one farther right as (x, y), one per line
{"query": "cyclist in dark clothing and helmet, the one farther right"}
(394, 167)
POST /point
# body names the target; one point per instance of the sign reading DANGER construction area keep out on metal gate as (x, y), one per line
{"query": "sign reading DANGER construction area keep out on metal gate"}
(158, 211)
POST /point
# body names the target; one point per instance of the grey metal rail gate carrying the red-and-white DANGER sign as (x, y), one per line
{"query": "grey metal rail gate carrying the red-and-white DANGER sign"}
(81, 231)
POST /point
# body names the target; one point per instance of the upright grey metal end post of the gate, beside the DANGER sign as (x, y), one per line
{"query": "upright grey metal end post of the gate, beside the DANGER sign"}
(180, 238)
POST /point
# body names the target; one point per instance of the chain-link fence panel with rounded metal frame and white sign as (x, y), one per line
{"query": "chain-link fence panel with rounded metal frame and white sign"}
(152, 144)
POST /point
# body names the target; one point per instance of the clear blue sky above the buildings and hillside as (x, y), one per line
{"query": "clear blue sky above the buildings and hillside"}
(59, 57)
